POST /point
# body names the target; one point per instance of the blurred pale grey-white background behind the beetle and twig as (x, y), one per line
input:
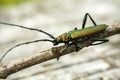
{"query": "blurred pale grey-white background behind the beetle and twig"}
(99, 62)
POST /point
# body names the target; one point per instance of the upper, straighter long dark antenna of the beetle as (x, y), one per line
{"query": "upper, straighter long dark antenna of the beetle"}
(34, 29)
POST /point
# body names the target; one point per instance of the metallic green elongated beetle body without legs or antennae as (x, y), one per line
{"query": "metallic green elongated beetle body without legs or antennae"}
(79, 33)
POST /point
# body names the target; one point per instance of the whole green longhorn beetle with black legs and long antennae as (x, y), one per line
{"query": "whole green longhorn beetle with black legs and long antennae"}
(69, 37)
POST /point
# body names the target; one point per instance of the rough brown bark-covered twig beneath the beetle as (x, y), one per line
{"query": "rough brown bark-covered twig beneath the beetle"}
(52, 53)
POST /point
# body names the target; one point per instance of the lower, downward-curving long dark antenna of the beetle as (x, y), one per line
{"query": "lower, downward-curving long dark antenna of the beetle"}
(23, 44)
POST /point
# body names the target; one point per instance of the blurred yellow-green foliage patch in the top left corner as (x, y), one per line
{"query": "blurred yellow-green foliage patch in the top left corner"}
(11, 3)
